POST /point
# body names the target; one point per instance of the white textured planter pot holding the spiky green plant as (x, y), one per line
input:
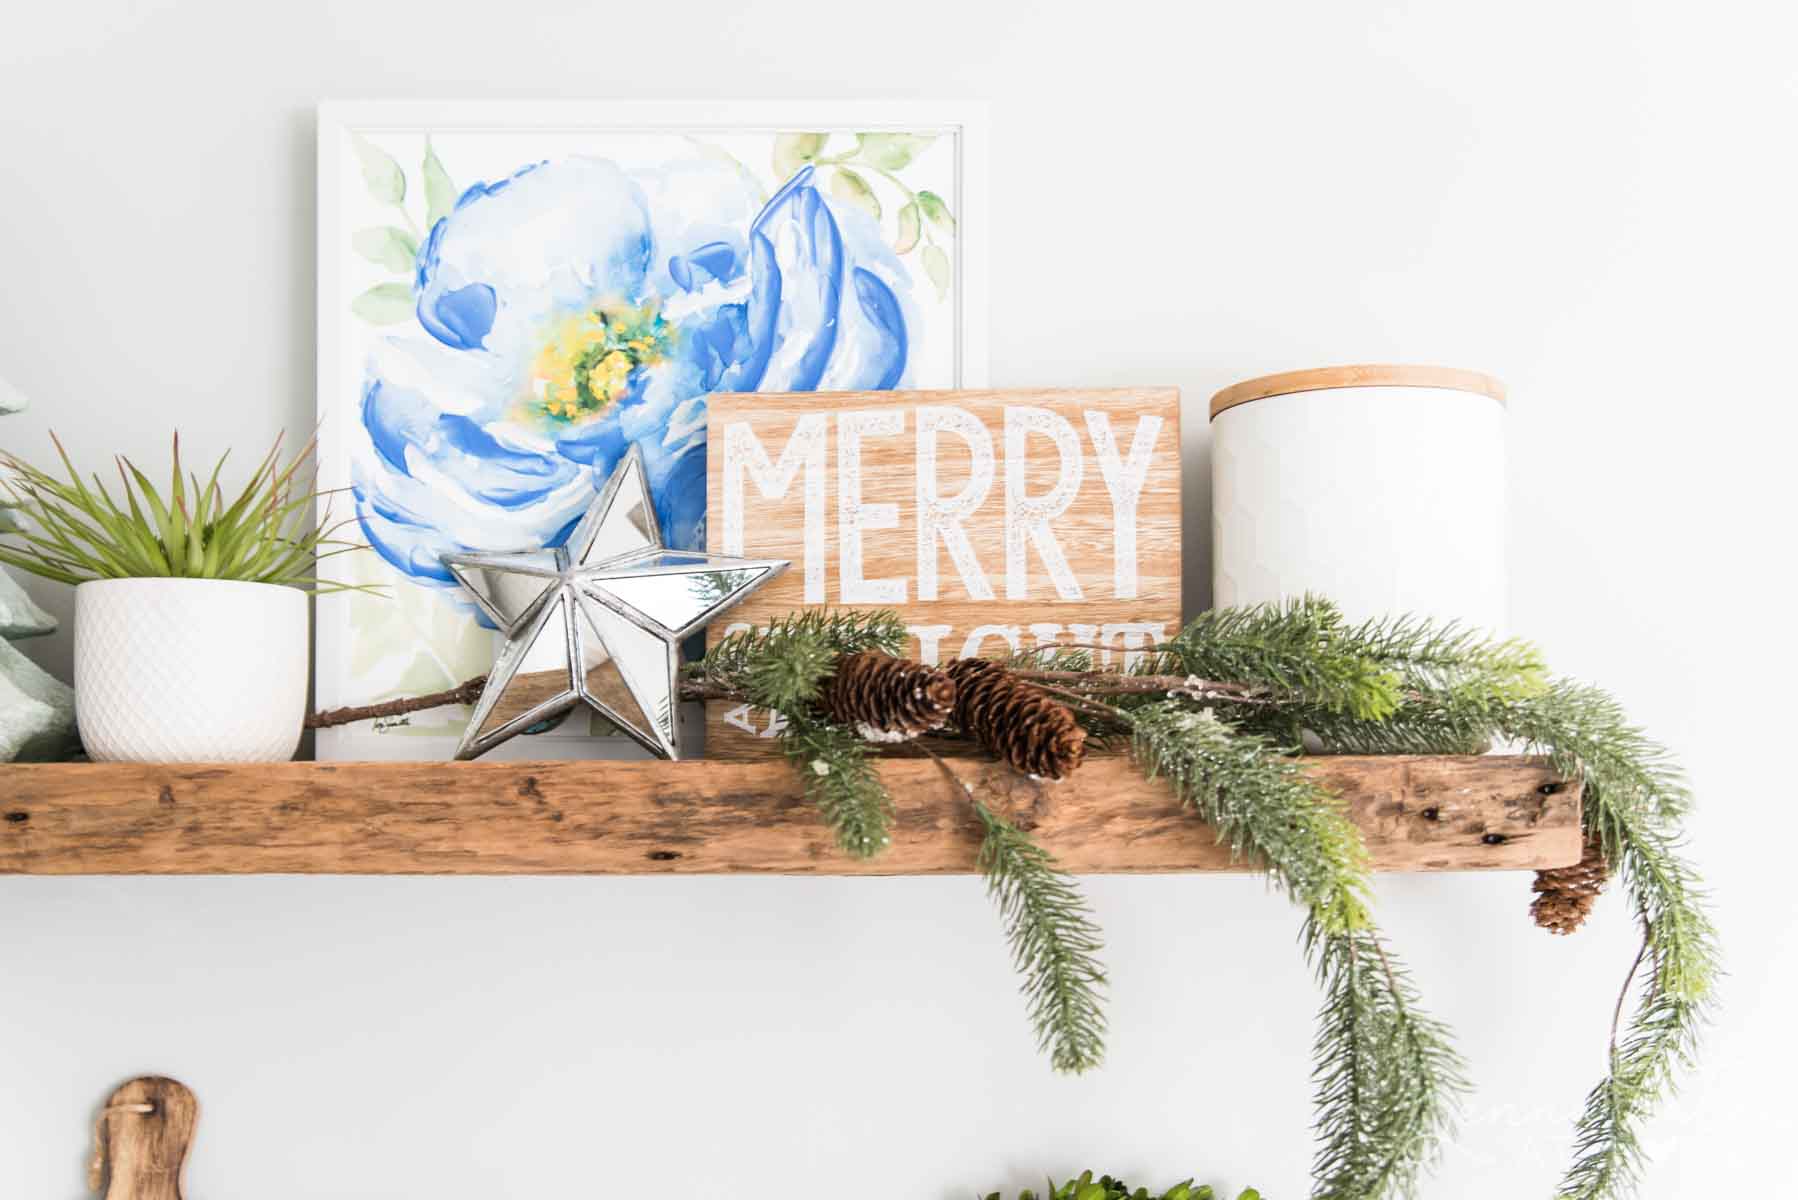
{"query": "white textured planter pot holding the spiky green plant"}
(190, 670)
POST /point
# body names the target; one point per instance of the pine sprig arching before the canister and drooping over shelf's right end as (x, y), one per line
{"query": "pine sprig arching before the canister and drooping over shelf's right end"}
(1459, 690)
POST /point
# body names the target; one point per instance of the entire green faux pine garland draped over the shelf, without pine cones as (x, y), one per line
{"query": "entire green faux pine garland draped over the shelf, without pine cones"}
(1220, 712)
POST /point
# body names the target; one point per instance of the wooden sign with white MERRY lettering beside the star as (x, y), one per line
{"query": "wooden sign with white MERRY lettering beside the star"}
(992, 521)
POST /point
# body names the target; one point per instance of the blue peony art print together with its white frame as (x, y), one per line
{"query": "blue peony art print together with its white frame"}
(515, 294)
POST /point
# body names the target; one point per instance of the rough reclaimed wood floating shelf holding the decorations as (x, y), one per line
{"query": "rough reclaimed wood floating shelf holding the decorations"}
(713, 818)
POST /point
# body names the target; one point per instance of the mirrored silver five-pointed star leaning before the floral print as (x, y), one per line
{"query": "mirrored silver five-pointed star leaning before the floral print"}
(600, 620)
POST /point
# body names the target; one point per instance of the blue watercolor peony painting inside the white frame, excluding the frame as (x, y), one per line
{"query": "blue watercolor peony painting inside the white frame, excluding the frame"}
(515, 334)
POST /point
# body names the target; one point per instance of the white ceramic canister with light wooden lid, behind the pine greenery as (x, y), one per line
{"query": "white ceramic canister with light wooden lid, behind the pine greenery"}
(1382, 488)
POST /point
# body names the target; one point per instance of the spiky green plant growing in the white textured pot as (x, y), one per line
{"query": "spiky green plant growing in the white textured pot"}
(75, 533)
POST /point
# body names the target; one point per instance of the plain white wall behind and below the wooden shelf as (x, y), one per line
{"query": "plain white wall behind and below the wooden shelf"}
(1592, 201)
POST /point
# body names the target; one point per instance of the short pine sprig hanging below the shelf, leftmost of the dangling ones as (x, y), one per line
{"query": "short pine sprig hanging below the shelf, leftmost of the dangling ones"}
(1055, 944)
